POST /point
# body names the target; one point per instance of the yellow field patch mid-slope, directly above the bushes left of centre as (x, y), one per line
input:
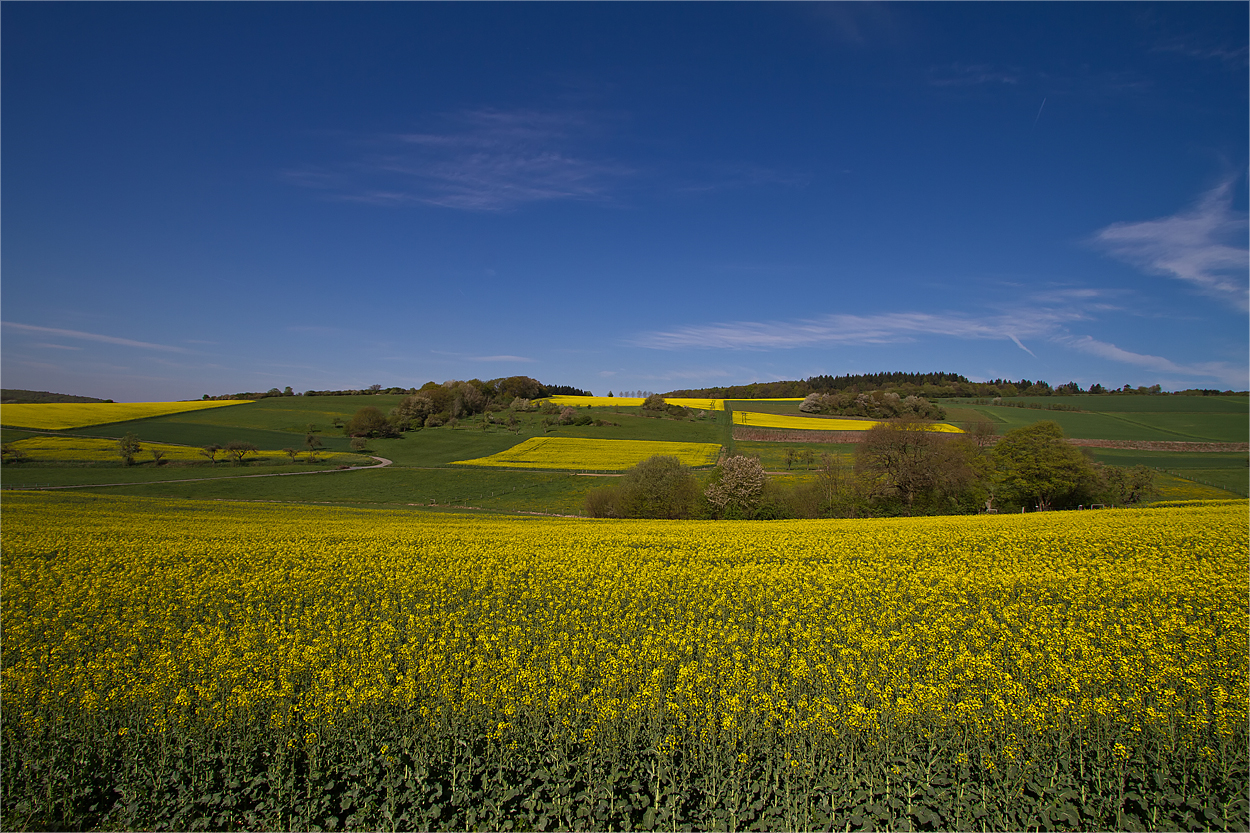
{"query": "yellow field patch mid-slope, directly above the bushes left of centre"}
(571, 453)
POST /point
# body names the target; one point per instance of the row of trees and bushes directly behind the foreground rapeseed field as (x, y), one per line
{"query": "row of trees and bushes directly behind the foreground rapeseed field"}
(902, 468)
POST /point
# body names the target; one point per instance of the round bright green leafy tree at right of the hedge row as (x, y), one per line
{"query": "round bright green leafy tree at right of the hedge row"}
(1038, 468)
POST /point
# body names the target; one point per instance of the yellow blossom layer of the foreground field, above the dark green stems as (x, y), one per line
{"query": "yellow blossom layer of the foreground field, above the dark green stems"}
(1114, 627)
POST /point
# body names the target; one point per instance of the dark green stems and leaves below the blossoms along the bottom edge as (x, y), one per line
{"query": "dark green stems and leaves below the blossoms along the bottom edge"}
(398, 772)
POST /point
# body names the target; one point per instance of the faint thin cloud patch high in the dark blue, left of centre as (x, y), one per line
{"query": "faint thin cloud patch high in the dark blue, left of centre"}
(486, 161)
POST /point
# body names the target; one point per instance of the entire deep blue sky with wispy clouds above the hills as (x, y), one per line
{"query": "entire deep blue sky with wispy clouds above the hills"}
(217, 198)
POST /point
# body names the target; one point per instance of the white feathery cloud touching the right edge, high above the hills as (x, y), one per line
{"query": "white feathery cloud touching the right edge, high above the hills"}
(1204, 247)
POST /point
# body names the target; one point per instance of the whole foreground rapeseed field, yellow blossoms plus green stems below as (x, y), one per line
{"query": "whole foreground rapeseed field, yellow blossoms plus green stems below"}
(211, 647)
